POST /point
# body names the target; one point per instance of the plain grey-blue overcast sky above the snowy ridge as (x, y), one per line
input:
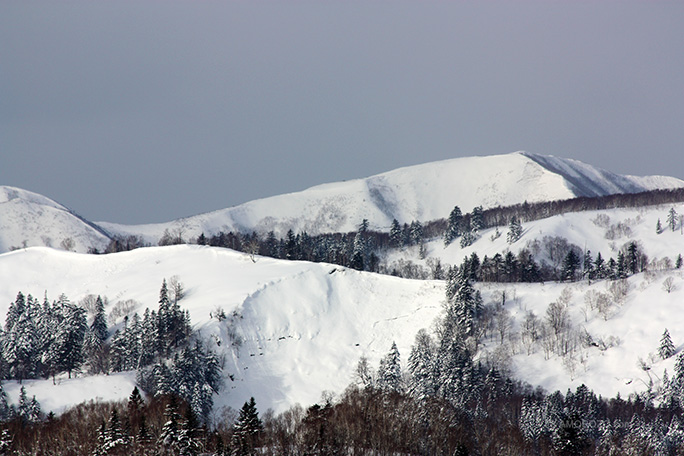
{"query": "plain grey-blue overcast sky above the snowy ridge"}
(147, 111)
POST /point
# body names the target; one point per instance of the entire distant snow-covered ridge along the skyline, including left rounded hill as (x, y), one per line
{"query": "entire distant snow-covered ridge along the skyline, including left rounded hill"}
(422, 192)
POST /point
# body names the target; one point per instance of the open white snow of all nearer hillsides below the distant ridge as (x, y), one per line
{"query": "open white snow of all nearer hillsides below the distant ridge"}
(296, 329)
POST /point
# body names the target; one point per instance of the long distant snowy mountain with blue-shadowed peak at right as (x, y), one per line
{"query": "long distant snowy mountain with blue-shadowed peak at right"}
(423, 192)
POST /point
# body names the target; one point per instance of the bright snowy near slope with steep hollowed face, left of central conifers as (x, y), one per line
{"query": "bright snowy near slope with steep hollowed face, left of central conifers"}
(302, 327)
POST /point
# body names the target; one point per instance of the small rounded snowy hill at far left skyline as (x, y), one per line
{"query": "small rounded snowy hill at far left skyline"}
(30, 219)
